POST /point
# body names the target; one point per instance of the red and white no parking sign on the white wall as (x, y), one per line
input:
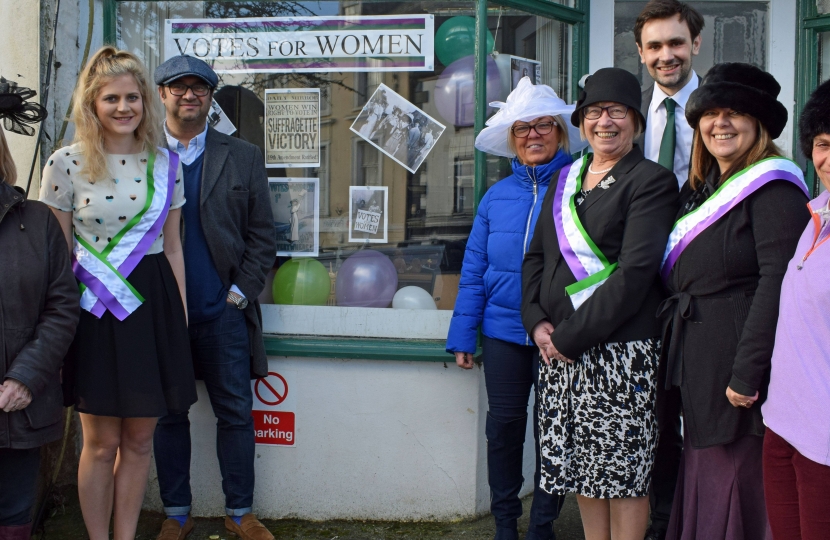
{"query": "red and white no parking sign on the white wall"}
(273, 411)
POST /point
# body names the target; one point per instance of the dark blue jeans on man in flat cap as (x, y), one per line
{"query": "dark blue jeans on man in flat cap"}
(221, 356)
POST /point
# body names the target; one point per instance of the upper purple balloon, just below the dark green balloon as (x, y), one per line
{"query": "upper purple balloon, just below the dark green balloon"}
(455, 90)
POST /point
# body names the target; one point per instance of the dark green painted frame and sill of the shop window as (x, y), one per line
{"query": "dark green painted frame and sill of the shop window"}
(402, 349)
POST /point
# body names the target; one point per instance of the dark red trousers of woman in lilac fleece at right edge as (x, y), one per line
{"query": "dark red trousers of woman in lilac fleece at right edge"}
(797, 492)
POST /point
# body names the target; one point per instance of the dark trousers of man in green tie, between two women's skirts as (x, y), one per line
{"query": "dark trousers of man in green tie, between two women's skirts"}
(667, 455)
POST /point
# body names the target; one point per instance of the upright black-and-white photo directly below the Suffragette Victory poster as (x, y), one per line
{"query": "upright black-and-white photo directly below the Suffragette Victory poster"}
(295, 203)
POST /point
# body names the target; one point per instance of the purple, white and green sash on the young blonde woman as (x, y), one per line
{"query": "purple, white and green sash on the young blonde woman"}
(103, 275)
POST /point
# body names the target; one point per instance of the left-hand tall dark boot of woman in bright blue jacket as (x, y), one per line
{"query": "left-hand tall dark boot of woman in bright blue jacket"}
(505, 443)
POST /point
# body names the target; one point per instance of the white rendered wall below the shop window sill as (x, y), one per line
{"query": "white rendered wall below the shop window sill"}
(378, 440)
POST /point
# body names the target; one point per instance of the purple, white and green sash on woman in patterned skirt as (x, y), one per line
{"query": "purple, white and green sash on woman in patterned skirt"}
(590, 267)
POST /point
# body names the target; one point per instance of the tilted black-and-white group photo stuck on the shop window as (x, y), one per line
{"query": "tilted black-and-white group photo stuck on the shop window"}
(397, 128)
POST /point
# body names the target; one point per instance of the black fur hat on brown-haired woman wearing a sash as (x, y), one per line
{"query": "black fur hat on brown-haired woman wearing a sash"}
(743, 88)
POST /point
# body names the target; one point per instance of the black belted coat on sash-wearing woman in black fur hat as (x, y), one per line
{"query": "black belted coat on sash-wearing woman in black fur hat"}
(721, 317)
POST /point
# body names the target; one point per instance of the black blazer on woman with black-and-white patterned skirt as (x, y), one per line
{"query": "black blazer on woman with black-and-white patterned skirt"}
(630, 223)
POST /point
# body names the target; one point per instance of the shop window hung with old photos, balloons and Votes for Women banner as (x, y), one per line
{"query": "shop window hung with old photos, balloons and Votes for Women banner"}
(395, 194)
